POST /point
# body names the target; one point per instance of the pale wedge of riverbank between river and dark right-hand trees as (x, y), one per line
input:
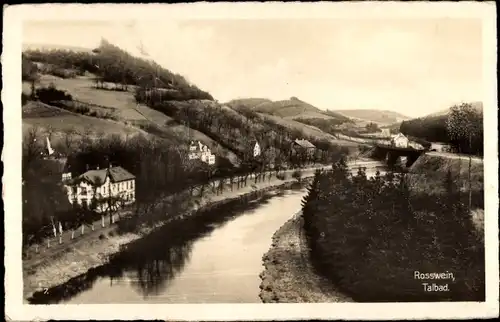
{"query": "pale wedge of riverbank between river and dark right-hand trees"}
(288, 275)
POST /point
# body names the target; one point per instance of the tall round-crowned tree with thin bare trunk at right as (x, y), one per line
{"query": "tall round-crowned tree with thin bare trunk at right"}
(464, 124)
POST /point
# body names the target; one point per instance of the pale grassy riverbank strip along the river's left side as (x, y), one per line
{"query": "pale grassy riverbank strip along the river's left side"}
(86, 254)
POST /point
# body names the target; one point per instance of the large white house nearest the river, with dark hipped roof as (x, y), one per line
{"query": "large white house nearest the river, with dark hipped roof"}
(101, 189)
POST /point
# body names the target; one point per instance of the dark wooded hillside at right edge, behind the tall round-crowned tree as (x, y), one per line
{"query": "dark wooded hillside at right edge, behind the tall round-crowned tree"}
(437, 129)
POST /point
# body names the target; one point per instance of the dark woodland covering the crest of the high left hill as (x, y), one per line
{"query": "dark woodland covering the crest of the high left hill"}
(112, 64)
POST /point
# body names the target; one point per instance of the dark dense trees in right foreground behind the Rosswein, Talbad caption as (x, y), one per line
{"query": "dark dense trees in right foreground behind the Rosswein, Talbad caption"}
(369, 236)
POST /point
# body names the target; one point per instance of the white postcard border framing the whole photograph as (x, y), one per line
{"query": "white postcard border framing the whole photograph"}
(11, 61)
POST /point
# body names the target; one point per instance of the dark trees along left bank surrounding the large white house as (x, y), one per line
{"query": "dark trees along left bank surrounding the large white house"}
(161, 168)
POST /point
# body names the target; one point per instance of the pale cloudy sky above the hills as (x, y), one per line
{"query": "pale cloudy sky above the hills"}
(411, 66)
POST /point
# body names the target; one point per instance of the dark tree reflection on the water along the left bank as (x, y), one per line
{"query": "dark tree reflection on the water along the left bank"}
(151, 263)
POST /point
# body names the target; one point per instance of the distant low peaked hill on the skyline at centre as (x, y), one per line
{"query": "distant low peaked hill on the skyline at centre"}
(292, 108)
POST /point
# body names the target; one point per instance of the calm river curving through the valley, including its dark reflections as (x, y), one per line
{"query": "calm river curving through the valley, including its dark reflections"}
(214, 256)
